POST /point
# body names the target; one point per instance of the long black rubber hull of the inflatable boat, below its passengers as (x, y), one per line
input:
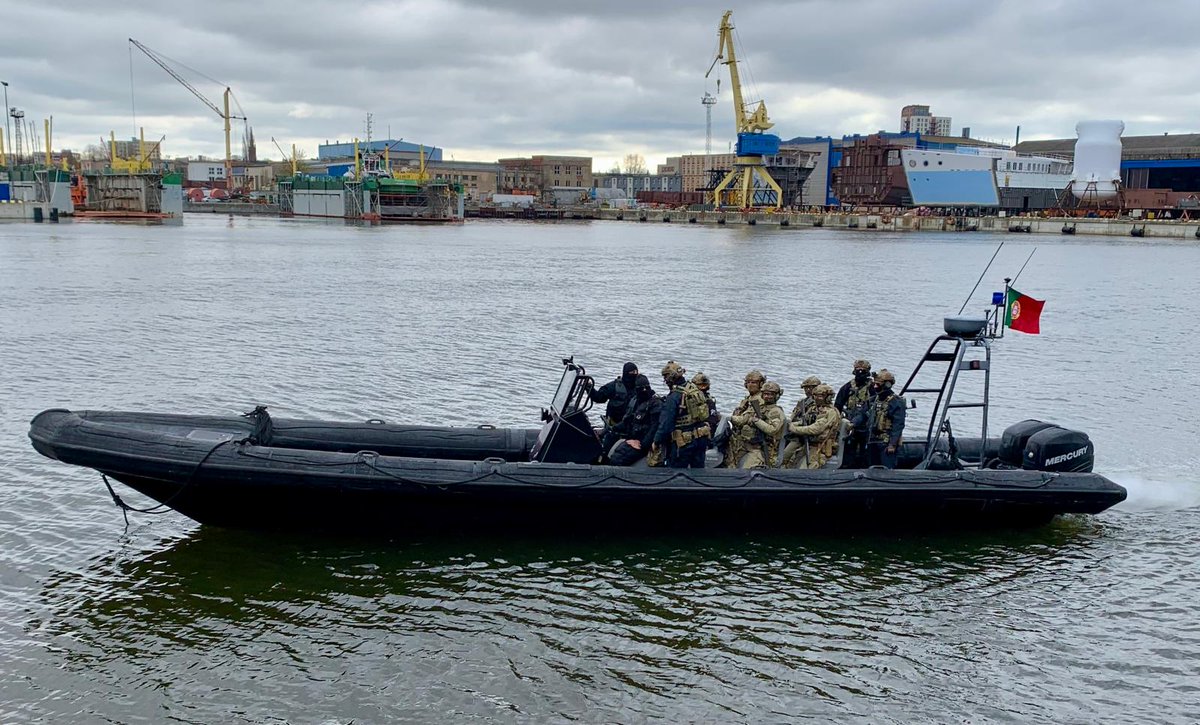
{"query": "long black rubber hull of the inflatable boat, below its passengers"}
(208, 470)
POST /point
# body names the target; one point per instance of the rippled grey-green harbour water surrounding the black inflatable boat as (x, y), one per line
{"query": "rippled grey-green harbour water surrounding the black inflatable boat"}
(1087, 620)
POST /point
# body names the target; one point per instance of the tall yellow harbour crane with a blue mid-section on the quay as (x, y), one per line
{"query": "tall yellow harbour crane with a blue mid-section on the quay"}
(748, 184)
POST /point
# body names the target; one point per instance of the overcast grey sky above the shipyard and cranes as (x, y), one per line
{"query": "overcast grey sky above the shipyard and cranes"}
(484, 81)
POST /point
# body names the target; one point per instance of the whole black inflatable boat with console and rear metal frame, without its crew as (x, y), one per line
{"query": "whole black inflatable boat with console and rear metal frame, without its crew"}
(254, 471)
